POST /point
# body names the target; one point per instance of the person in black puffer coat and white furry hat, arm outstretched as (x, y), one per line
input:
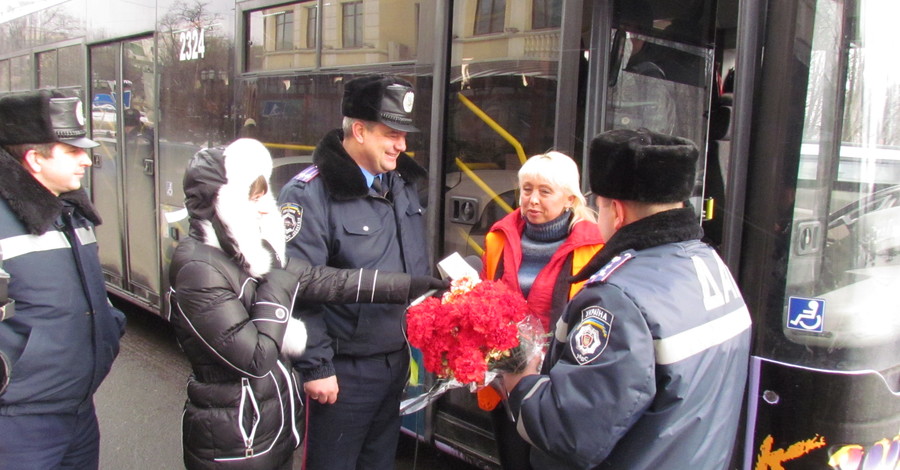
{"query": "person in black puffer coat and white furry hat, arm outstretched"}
(232, 297)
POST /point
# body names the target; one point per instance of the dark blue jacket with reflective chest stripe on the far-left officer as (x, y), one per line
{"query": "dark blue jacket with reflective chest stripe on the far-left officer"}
(65, 334)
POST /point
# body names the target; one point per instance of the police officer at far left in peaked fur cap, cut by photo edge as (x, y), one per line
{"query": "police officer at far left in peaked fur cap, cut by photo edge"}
(64, 335)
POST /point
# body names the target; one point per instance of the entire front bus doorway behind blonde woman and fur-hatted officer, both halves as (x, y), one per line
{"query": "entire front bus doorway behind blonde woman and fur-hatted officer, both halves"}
(525, 82)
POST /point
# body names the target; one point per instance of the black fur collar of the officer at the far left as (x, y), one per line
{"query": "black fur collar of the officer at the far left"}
(32, 203)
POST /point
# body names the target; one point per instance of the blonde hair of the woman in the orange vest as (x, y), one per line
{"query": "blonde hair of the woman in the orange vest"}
(560, 171)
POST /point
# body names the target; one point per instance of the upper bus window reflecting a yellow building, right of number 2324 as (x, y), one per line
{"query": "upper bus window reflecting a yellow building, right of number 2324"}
(354, 33)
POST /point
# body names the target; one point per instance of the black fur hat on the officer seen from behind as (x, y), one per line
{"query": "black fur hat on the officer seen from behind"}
(642, 166)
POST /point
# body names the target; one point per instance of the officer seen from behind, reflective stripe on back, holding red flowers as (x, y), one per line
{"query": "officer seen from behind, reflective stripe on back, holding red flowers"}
(649, 363)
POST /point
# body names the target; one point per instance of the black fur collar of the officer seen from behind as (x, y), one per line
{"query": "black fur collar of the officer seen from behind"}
(672, 226)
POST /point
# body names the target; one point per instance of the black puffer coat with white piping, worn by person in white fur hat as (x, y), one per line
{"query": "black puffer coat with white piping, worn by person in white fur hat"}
(243, 404)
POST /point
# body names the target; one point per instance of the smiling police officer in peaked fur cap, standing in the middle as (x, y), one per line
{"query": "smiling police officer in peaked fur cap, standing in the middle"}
(358, 207)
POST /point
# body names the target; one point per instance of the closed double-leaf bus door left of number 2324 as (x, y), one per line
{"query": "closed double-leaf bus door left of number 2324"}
(124, 189)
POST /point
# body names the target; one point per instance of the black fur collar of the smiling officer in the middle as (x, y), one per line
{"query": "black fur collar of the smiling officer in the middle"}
(341, 174)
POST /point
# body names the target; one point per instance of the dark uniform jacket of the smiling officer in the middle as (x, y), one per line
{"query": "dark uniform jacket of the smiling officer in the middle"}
(334, 219)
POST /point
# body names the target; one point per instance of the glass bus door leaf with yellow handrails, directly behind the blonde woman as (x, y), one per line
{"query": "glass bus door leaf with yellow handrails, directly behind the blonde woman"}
(511, 93)
